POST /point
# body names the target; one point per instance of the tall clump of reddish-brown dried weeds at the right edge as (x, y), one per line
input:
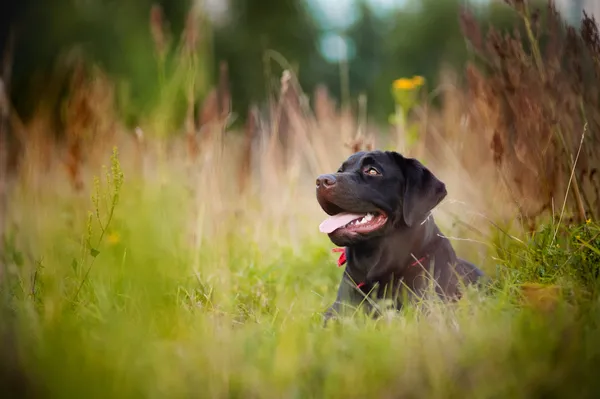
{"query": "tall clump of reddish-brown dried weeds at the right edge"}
(539, 100)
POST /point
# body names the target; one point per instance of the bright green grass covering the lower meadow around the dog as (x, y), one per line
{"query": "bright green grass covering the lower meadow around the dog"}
(238, 316)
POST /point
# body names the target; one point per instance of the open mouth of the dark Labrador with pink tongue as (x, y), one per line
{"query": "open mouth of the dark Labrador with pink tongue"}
(353, 222)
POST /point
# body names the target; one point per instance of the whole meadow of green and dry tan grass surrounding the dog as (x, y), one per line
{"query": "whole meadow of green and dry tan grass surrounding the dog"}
(136, 265)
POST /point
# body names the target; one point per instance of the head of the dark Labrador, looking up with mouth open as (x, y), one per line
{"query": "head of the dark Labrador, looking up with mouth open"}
(374, 193)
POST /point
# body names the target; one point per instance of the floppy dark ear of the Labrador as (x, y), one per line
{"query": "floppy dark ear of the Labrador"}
(422, 190)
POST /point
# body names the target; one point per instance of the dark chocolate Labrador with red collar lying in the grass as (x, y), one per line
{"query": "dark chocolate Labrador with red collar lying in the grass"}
(379, 205)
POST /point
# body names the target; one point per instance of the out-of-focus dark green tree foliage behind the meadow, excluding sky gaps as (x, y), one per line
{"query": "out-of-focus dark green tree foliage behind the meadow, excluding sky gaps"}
(115, 35)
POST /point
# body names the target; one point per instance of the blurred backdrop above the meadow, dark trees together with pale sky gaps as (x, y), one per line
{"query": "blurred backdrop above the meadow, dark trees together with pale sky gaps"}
(352, 47)
